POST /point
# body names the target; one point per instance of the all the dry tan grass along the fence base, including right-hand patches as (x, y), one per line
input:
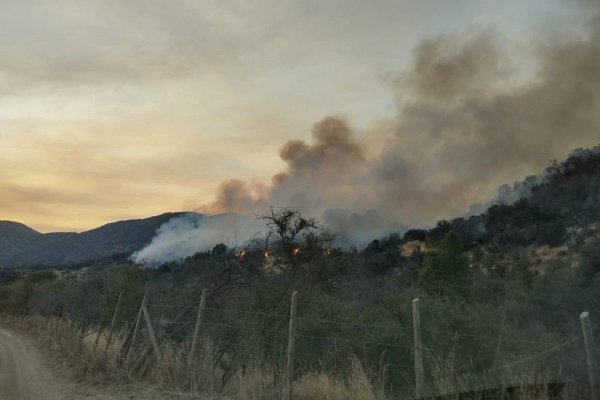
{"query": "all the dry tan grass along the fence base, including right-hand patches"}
(65, 342)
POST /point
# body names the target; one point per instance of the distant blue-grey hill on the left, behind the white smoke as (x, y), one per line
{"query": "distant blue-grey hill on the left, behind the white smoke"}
(22, 246)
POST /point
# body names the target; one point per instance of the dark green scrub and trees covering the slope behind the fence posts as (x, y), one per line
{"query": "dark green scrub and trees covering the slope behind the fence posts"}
(501, 296)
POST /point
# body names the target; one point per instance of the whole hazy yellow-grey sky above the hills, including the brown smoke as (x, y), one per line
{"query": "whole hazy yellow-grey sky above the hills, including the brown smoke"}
(113, 110)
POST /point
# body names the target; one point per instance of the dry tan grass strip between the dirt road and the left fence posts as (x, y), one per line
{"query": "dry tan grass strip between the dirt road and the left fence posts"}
(86, 354)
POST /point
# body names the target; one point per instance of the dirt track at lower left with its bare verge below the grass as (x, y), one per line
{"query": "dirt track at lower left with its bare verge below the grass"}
(25, 375)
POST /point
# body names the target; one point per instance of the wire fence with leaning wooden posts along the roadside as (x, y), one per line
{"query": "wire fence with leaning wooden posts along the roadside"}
(399, 358)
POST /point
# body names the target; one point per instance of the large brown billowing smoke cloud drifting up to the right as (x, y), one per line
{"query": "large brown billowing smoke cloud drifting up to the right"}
(467, 122)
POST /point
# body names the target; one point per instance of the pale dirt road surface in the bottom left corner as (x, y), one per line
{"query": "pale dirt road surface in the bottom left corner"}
(23, 375)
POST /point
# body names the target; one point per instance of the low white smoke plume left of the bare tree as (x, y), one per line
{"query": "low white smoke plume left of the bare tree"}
(191, 233)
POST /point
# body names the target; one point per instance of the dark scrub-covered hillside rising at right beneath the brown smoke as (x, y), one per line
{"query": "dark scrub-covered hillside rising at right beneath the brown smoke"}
(556, 224)
